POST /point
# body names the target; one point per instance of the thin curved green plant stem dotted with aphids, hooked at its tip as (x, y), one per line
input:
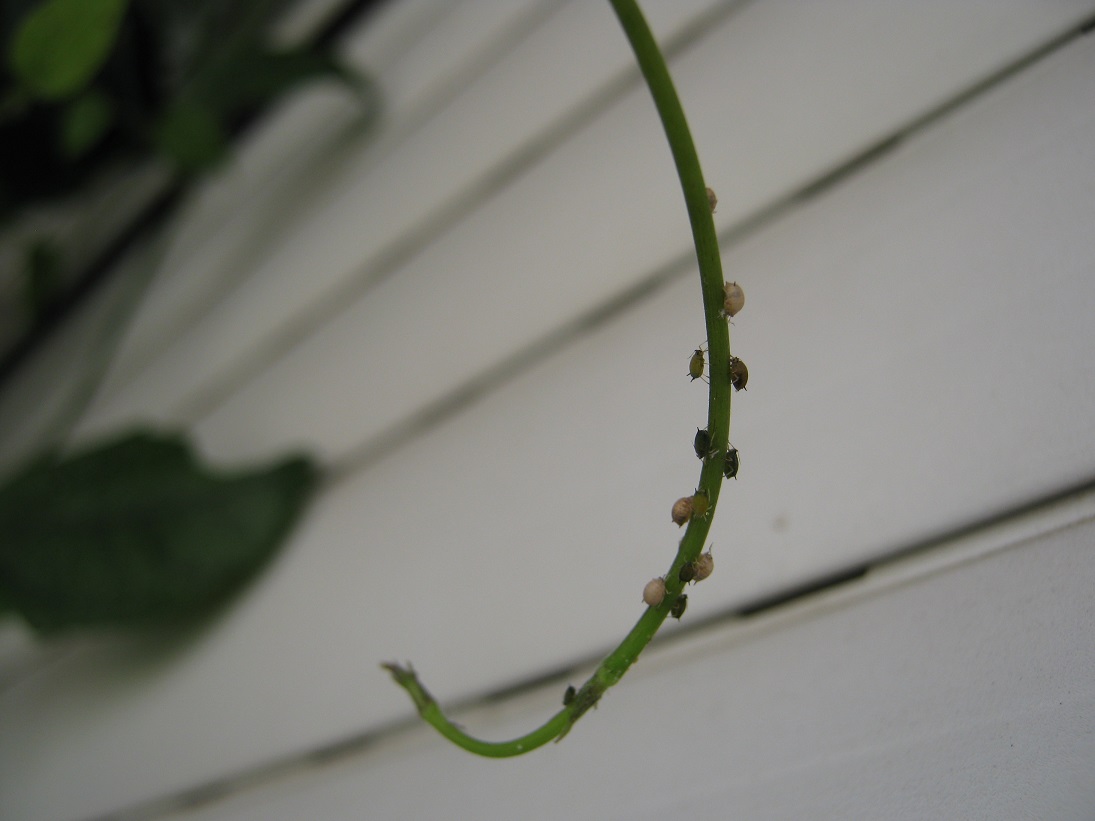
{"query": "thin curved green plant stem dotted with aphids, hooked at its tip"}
(616, 665)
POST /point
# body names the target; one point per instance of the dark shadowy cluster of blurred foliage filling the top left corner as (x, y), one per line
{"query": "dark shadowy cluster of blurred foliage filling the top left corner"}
(89, 83)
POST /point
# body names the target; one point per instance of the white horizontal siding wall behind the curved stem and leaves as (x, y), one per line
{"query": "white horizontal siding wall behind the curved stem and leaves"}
(480, 315)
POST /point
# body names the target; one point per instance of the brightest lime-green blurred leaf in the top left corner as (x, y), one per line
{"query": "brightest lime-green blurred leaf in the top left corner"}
(62, 44)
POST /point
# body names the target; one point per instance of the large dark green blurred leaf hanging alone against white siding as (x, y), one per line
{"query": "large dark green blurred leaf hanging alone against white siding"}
(137, 533)
